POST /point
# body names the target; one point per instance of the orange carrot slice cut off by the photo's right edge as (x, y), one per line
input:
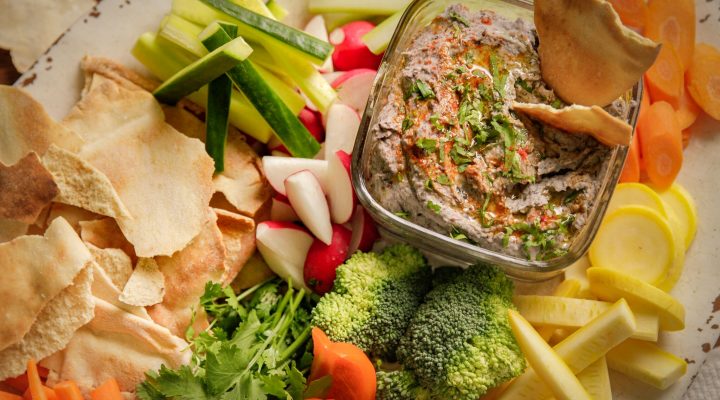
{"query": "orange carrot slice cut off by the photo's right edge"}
(703, 79)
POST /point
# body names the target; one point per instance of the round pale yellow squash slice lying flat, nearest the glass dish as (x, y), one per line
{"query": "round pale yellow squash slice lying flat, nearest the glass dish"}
(635, 240)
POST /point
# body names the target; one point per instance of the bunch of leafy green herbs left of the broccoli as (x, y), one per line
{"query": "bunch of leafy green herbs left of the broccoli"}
(255, 348)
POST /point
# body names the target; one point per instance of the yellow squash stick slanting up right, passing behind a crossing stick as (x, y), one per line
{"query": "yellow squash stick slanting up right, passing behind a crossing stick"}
(579, 350)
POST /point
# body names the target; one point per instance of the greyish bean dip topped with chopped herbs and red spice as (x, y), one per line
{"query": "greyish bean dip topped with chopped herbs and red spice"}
(449, 154)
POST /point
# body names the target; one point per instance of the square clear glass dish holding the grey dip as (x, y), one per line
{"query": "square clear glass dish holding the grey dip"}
(444, 244)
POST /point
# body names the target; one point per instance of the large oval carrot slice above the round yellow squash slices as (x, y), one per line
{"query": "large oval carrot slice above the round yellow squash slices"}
(661, 144)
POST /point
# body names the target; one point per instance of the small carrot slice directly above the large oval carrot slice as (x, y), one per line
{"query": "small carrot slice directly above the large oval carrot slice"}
(665, 77)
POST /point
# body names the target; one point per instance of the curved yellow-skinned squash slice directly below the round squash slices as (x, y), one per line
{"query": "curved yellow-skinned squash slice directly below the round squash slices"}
(611, 285)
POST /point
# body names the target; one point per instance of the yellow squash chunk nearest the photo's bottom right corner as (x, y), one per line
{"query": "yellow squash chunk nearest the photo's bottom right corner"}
(647, 363)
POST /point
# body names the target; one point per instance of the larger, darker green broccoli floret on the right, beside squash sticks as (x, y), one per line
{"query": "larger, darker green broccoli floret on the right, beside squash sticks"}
(459, 343)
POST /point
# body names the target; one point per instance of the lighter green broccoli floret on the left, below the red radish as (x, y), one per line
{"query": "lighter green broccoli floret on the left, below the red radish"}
(373, 299)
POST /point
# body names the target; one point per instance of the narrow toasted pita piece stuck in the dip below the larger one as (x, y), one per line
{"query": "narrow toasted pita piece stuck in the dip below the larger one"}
(593, 121)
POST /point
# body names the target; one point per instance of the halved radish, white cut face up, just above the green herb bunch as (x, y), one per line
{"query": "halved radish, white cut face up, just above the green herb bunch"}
(284, 246)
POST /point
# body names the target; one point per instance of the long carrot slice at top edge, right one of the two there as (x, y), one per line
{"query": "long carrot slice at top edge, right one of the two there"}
(673, 22)
